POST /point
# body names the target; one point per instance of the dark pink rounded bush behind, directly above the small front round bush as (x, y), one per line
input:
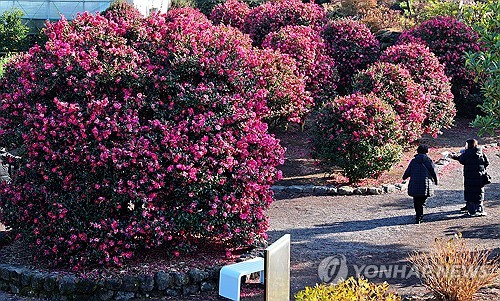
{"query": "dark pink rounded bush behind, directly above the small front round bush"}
(353, 47)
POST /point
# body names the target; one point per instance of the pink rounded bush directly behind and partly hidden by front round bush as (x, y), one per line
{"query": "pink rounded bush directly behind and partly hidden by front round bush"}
(394, 85)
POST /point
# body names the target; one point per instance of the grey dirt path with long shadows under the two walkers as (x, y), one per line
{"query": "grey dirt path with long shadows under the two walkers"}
(380, 230)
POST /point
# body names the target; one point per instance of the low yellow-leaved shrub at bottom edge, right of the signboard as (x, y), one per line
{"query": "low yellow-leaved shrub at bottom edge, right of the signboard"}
(351, 289)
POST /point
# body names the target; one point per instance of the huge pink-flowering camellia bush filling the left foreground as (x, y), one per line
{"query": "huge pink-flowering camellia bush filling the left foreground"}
(135, 134)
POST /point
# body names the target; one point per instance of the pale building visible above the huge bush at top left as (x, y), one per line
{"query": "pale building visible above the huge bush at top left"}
(37, 11)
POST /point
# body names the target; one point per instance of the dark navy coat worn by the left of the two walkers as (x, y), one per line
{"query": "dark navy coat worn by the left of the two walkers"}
(423, 176)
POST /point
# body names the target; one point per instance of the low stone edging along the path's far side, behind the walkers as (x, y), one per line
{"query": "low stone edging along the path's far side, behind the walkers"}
(348, 190)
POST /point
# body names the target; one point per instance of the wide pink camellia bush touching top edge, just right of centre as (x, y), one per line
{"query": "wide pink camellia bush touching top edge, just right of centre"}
(273, 15)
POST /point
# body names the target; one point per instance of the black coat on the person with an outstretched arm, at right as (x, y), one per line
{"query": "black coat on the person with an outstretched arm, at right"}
(475, 163)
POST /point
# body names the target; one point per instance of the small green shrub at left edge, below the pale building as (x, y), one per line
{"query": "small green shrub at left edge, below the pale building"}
(13, 33)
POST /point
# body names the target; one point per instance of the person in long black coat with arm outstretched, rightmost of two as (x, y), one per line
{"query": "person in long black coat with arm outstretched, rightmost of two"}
(475, 162)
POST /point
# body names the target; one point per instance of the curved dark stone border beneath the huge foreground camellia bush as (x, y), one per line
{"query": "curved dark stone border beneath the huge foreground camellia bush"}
(66, 287)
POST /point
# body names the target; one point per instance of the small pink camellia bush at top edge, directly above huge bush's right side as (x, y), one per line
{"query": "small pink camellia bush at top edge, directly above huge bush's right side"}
(231, 12)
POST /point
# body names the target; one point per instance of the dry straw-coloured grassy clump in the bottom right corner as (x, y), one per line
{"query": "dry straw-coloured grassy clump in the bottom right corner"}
(454, 269)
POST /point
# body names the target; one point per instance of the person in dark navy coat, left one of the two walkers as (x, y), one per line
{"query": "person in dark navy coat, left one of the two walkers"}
(423, 177)
